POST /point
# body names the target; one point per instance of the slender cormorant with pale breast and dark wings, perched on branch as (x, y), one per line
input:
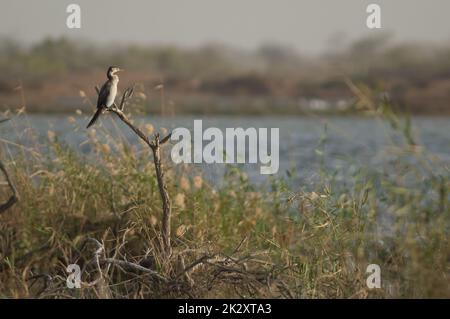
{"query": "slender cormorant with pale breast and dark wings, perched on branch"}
(107, 93)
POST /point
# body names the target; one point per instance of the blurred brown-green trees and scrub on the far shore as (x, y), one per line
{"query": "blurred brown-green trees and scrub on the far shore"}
(218, 79)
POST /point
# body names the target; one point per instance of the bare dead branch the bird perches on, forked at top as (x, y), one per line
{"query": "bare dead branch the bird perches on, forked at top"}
(155, 146)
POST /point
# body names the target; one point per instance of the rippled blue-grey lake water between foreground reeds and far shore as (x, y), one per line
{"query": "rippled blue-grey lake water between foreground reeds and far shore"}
(341, 145)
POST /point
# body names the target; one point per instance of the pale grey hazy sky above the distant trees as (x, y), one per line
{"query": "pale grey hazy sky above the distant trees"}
(305, 24)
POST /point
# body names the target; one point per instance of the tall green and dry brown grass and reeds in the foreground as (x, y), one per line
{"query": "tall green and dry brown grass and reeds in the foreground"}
(235, 239)
